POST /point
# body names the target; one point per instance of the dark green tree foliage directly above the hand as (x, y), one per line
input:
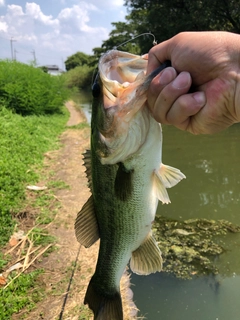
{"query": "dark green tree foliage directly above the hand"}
(165, 18)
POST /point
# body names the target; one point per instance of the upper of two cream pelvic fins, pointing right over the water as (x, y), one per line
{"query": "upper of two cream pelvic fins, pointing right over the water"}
(170, 176)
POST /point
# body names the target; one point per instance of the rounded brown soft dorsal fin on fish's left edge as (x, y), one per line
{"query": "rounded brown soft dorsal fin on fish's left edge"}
(86, 226)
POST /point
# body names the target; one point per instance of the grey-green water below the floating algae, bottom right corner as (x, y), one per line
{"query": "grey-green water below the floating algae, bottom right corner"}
(161, 296)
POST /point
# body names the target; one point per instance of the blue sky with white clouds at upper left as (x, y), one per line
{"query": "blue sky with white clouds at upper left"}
(55, 29)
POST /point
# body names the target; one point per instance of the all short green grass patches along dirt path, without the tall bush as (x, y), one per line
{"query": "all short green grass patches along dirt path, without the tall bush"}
(23, 142)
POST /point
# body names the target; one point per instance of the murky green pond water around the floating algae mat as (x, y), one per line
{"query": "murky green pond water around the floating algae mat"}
(211, 190)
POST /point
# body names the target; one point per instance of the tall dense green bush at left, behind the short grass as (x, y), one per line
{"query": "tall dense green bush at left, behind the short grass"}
(27, 90)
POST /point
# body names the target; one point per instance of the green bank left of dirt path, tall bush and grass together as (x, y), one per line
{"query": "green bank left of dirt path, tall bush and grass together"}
(32, 116)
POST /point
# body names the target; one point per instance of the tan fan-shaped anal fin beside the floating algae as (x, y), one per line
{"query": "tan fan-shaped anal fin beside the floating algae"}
(147, 258)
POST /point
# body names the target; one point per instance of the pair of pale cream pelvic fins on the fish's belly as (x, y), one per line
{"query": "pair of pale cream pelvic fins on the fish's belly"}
(165, 177)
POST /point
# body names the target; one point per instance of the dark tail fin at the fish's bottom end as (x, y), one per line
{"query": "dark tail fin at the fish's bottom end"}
(103, 305)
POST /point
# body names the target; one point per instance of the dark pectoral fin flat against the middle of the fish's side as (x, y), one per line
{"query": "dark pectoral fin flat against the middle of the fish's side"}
(123, 182)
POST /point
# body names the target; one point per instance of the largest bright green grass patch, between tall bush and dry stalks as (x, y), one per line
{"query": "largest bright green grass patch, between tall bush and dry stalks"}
(23, 142)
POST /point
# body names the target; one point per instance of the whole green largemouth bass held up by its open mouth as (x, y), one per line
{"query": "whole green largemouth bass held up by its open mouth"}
(126, 177)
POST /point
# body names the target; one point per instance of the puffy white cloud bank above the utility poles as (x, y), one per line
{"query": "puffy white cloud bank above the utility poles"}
(33, 22)
